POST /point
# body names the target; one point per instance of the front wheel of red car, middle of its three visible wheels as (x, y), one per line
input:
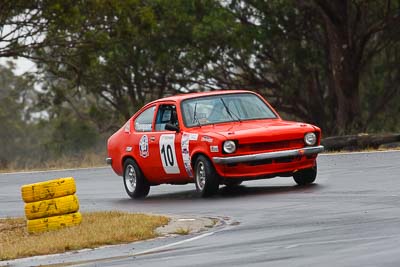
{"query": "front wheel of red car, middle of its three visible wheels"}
(207, 180)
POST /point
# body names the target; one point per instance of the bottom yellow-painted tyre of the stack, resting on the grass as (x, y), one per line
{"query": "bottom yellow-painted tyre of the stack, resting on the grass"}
(53, 223)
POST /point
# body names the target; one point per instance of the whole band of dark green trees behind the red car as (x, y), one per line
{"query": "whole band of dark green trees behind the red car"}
(331, 63)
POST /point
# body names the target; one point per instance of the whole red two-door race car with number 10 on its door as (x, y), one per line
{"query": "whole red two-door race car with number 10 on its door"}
(212, 138)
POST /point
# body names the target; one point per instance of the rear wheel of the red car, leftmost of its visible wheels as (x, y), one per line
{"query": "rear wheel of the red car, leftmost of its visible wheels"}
(135, 183)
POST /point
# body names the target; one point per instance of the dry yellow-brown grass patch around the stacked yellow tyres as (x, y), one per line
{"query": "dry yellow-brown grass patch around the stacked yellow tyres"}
(97, 229)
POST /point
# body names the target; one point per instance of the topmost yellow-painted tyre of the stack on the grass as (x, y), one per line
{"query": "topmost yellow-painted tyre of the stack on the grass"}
(49, 189)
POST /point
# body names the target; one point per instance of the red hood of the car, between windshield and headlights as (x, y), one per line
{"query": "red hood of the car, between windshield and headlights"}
(261, 130)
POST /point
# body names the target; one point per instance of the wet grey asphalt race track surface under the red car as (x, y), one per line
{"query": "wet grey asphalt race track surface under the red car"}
(350, 217)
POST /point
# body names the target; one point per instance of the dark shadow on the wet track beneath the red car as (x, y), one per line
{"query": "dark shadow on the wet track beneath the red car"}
(232, 192)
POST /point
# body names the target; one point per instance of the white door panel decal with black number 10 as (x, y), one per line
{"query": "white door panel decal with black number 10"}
(167, 153)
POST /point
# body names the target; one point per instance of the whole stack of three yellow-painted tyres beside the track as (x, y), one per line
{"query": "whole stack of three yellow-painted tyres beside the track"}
(51, 205)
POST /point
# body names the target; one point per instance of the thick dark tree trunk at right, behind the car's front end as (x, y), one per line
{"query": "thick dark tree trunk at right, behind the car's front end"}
(345, 66)
